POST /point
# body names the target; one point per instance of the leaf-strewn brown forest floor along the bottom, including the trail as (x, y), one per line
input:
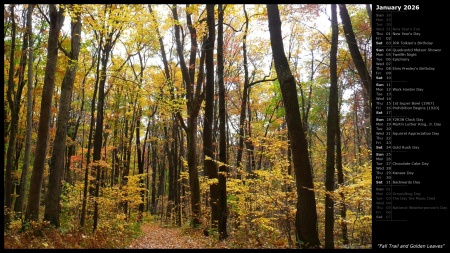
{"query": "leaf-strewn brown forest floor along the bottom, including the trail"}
(148, 235)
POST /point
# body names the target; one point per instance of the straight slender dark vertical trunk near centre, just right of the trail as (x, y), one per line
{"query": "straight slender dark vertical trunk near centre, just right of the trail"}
(222, 190)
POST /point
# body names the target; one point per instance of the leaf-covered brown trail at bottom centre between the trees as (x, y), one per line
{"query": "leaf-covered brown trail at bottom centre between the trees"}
(157, 237)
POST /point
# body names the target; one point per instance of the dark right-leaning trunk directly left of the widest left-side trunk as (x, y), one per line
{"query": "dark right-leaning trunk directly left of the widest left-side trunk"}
(56, 22)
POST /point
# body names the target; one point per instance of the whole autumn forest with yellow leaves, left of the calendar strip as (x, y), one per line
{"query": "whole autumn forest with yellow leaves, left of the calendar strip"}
(187, 126)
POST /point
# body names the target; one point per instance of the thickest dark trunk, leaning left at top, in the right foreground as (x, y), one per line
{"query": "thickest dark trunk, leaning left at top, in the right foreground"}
(306, 216)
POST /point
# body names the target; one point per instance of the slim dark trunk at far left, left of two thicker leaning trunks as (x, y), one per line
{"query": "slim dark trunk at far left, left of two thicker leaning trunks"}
(26, 162)
